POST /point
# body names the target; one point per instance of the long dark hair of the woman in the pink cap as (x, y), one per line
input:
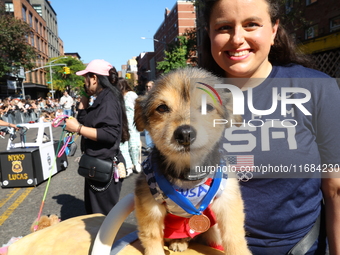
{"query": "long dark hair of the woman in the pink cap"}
(111, 83)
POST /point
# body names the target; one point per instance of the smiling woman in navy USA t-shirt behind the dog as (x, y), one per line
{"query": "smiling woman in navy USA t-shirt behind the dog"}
(245, 39)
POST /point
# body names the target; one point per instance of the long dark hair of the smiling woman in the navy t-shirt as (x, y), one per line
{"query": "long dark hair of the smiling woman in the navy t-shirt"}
(284, 51)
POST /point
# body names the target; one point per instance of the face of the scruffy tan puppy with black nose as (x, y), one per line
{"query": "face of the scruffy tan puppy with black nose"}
(172, 113)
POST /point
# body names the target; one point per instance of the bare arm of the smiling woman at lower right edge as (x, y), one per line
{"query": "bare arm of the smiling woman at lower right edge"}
(331, 194)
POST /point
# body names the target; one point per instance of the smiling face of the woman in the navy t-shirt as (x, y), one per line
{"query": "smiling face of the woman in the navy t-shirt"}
(241, 34)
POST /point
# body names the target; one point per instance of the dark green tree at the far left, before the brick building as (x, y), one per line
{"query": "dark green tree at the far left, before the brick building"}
(14, 49)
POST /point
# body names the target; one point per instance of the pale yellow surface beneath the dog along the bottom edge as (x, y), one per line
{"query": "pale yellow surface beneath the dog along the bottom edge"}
(75, 236)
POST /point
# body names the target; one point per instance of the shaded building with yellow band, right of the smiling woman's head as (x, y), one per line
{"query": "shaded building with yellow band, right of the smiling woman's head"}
(315, 24)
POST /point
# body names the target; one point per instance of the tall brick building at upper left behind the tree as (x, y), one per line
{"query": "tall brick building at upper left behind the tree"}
(41, 17)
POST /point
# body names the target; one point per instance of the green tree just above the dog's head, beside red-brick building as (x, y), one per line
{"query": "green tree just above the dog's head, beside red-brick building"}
(176, 56)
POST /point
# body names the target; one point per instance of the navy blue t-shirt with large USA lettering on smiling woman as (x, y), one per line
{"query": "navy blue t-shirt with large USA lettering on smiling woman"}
(281, 209)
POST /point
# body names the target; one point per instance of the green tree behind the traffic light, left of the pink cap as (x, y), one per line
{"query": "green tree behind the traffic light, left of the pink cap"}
(61, 80)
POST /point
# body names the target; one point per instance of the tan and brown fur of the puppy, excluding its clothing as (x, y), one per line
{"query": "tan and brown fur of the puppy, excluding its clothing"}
(173, 105)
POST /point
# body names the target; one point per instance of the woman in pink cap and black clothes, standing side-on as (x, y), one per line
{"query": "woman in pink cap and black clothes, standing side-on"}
(103, 126)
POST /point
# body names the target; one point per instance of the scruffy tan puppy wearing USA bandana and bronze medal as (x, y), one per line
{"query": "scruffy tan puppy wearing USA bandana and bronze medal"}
(186, 140)
